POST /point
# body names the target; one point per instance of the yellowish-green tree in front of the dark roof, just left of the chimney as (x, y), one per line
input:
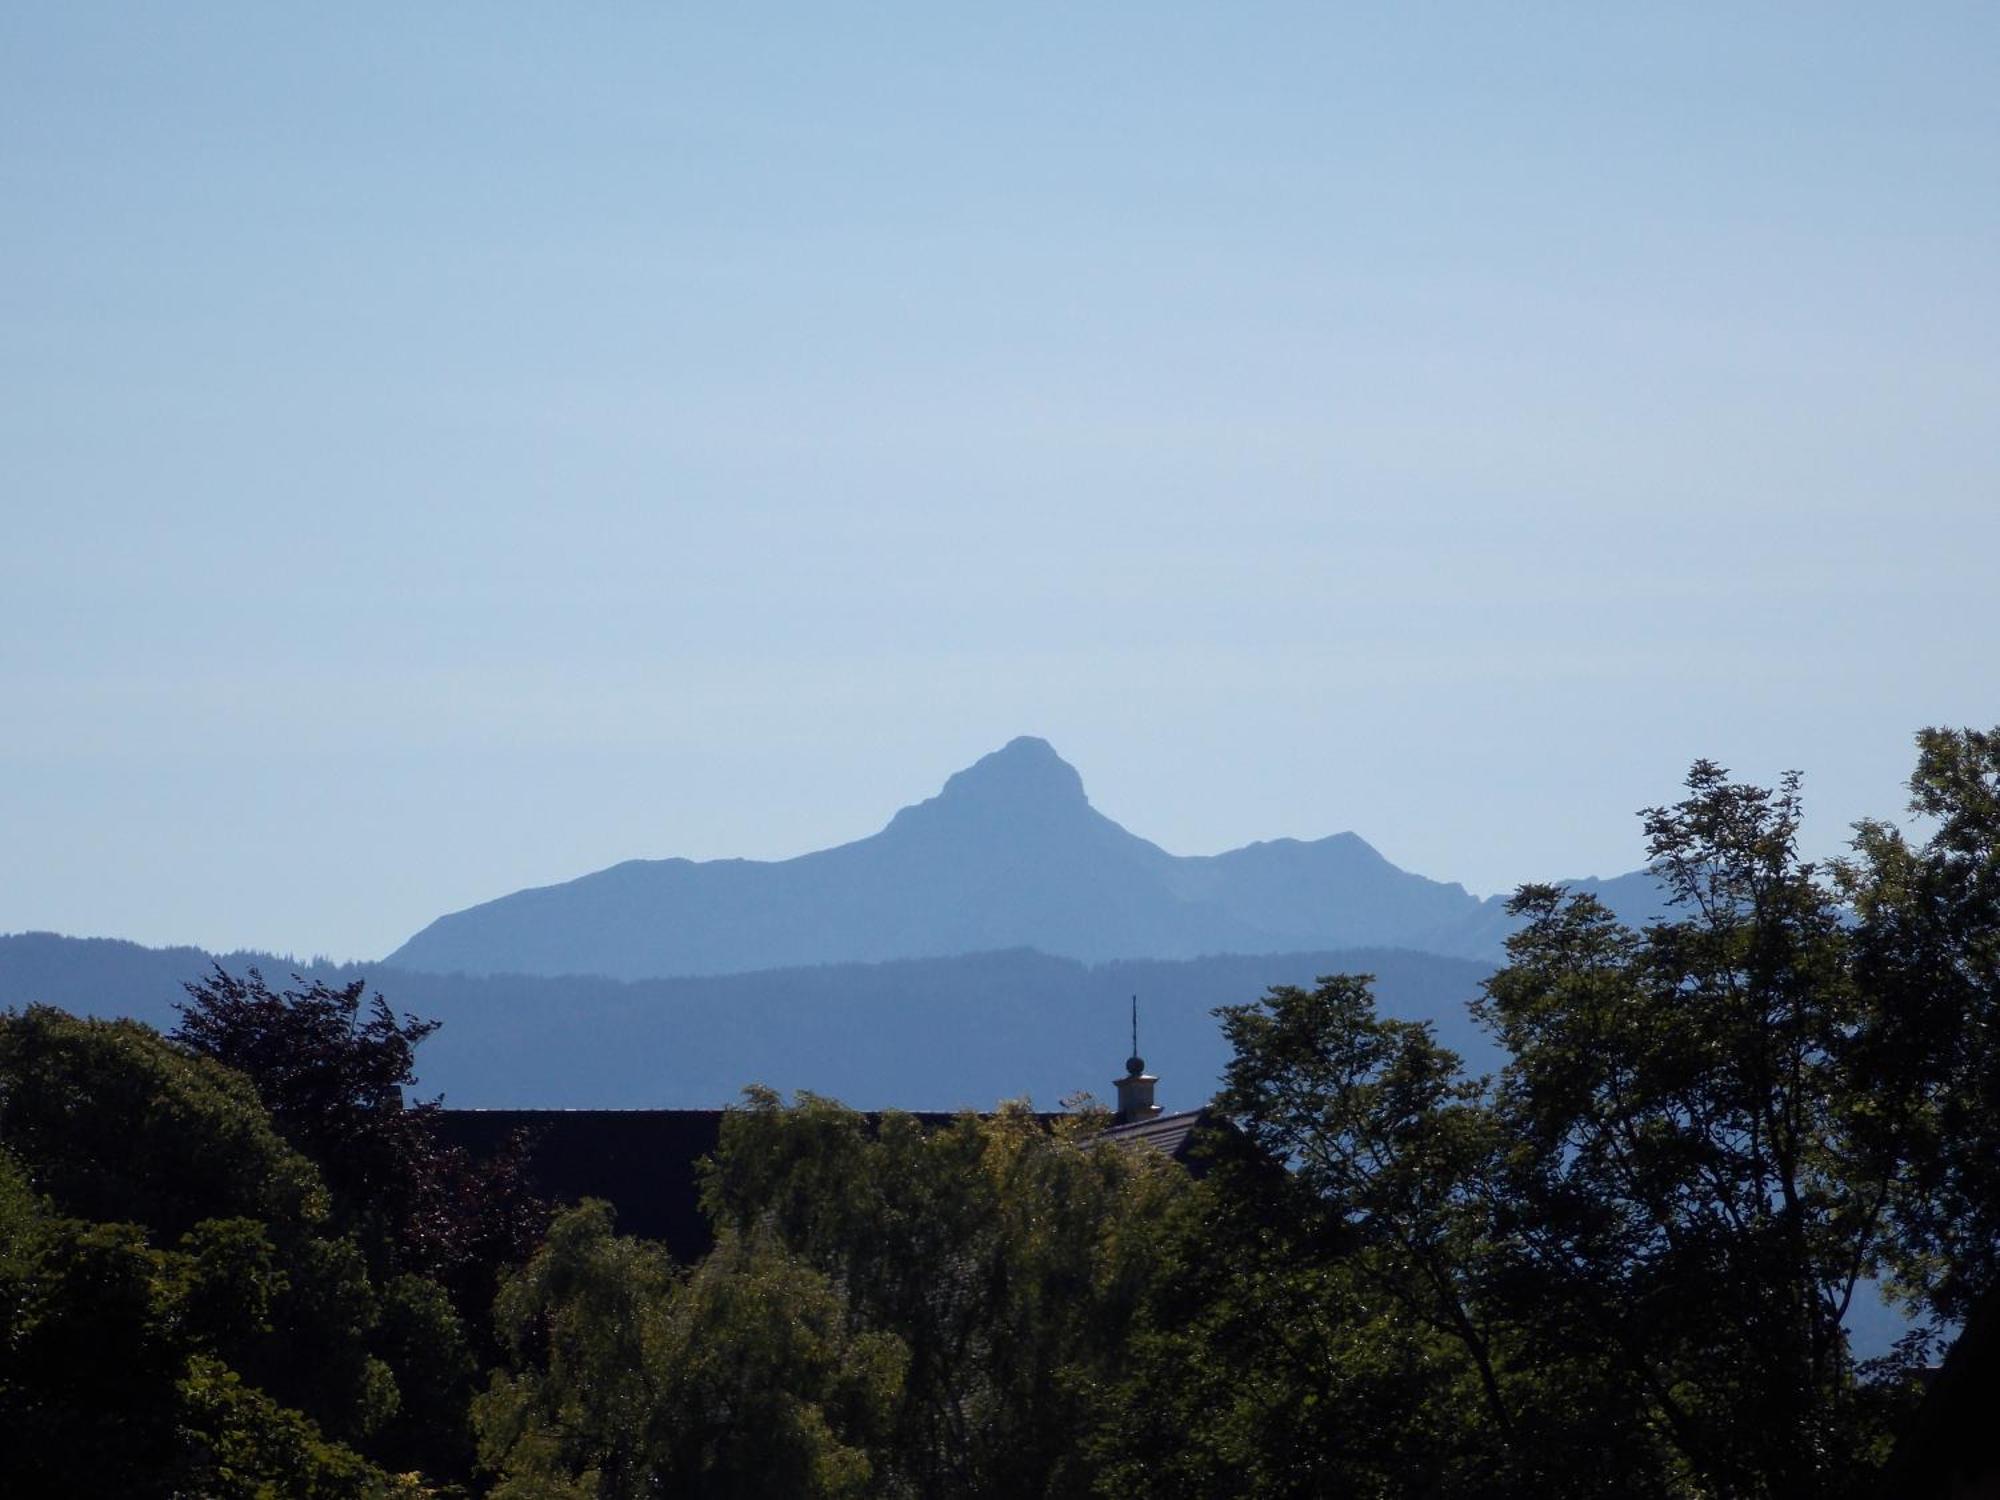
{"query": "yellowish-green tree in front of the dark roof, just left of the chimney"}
(1007, 1255)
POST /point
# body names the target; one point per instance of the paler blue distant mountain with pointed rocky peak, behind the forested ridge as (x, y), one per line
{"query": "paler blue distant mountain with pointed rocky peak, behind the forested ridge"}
(1009, 855)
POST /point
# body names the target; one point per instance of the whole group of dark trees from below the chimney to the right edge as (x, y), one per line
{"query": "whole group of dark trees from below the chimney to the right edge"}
(1641, 1239)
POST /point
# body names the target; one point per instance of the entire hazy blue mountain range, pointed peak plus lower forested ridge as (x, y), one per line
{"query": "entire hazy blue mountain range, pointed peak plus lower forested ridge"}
(981, 947)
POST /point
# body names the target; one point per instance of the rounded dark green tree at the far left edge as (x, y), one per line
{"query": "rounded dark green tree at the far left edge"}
(157, 1237)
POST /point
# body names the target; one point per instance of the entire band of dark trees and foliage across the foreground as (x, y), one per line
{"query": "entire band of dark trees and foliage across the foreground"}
(245, 1265)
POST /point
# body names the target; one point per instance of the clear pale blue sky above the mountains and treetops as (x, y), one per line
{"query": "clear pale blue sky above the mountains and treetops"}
(451, 449)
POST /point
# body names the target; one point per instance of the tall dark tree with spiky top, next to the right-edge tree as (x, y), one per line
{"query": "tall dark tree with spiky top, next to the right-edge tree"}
(1689, 1199)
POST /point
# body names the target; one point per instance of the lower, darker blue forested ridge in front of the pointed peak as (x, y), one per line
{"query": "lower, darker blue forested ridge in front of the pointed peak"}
(933, 1033)
